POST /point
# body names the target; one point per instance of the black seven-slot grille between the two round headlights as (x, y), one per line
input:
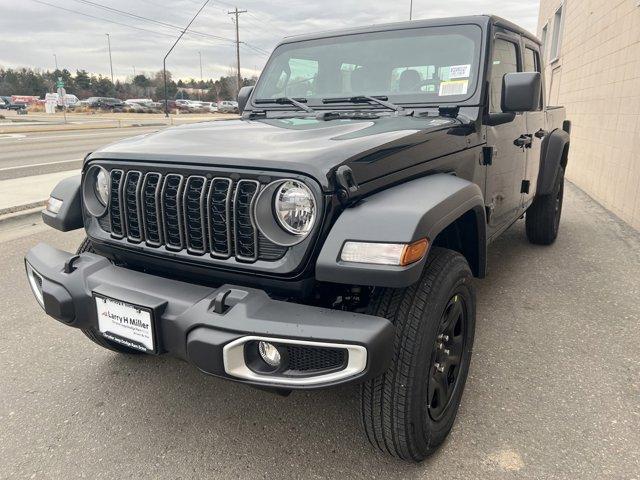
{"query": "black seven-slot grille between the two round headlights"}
(189, 213)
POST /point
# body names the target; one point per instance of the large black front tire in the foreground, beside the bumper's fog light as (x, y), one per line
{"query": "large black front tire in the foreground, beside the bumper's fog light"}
(409, 410)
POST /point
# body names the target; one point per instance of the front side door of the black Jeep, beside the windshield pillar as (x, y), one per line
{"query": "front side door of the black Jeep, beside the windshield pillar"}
(504, 175)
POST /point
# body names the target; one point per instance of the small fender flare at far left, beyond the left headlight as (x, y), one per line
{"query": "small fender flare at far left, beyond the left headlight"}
(70, 215)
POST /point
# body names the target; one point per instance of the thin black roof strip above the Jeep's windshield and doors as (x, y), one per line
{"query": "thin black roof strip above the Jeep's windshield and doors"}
(482, 20)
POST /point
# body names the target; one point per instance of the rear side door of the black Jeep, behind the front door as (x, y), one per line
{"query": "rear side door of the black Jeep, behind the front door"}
(535, 126)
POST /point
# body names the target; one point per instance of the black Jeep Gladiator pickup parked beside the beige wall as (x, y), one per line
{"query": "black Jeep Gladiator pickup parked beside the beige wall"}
(332, 233)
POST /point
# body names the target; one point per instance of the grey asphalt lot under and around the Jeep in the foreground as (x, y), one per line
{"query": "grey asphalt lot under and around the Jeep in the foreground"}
(553, 393)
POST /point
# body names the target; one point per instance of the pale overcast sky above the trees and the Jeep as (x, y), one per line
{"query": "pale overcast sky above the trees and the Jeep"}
(32, 31)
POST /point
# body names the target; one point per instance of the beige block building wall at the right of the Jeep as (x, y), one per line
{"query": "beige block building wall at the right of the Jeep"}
(596, 76)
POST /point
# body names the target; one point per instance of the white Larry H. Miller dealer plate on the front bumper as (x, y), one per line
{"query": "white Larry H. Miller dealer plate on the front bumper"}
(127, 324)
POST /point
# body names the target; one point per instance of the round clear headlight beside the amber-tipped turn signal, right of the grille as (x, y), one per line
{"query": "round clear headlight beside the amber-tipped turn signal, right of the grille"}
(295, 207)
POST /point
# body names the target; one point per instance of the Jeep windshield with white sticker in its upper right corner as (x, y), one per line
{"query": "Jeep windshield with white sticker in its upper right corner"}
(420, 65)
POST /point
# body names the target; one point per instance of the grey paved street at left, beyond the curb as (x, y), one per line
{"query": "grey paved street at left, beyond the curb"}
(36, 153)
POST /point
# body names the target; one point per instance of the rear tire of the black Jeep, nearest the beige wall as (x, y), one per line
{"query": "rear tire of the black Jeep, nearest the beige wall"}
(543, 216)
